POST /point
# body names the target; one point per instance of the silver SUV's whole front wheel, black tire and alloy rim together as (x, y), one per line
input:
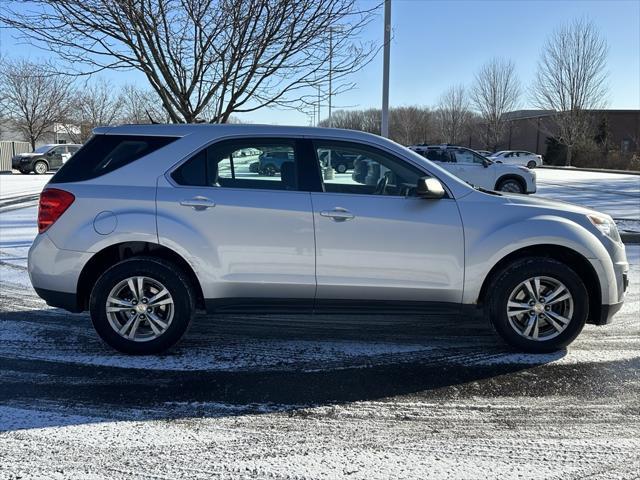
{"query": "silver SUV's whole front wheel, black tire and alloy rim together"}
(538, 304)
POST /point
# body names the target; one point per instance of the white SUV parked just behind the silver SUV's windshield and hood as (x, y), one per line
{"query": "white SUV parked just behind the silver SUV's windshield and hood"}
(478, 170)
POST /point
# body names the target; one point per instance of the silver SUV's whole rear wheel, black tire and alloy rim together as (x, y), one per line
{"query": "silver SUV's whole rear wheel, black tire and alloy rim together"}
(142, 305)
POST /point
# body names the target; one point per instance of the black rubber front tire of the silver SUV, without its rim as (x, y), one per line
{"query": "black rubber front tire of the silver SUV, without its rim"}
(504, 283)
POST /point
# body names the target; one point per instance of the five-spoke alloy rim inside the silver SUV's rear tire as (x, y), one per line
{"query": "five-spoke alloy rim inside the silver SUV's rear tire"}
(139, 309)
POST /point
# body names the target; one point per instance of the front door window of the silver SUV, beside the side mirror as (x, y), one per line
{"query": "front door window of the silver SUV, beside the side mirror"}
(370, 171)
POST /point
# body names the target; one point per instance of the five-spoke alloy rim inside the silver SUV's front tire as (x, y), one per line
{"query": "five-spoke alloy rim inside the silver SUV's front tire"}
(540, 308)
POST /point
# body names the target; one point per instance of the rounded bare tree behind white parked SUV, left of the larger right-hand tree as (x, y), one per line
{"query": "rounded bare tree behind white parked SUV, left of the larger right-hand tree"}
(496, 91)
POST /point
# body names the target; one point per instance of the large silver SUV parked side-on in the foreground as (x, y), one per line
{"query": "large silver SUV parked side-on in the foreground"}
(146, 224)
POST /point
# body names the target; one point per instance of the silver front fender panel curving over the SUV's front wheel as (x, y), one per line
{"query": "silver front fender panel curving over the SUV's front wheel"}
(483, 253)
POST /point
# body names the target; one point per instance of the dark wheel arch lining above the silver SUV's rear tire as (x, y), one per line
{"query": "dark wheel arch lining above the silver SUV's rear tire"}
(117, 252)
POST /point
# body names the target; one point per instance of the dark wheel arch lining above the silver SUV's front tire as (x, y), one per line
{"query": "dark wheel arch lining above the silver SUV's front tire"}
(576, 261)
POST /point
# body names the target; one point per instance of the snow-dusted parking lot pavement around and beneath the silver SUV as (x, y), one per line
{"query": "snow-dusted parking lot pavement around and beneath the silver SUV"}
(305, 398)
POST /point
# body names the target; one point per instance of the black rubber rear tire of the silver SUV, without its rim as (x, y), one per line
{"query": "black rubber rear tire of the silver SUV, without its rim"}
(171, 277)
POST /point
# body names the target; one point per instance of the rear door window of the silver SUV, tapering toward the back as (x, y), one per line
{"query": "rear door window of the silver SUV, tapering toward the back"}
(260, 164)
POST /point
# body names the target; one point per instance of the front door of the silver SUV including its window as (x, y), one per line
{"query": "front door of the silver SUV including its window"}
(376, 241)
